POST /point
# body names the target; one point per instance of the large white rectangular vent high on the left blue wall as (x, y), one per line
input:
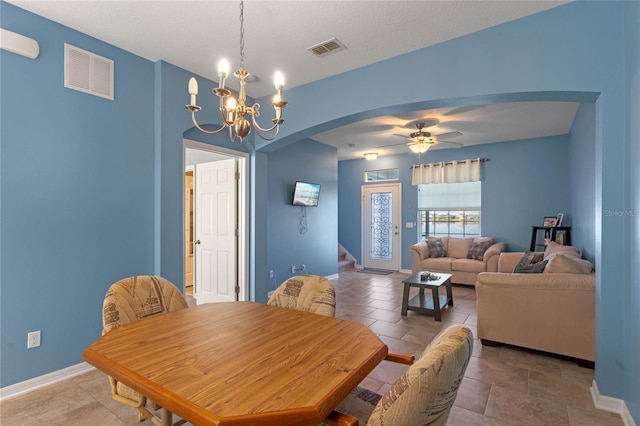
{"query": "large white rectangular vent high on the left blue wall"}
(88, 72)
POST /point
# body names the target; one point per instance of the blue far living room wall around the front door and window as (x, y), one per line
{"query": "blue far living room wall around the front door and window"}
(523, 182)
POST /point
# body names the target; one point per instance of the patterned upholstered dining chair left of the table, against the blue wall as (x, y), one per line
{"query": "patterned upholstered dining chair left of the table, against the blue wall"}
(133, 299)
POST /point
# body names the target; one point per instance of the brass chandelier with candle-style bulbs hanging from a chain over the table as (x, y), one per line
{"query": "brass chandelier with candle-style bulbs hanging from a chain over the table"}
(236, 113)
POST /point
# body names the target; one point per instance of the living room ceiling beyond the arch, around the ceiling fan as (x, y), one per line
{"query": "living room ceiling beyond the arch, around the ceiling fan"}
(478, 124)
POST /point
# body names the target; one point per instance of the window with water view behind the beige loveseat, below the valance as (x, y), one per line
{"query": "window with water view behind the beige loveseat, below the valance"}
(449, 209)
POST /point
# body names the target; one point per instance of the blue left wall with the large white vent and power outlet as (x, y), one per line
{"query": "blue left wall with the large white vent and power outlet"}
(77, 194)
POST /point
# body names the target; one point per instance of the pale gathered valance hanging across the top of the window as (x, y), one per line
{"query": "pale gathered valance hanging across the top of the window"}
(451, 172)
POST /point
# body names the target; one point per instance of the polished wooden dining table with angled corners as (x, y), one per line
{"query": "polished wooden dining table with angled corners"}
(240, 363)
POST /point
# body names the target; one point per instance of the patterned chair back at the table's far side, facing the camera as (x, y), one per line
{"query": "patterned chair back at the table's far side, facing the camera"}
(308, 293)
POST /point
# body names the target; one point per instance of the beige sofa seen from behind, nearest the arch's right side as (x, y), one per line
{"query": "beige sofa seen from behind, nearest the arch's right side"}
(552, 311)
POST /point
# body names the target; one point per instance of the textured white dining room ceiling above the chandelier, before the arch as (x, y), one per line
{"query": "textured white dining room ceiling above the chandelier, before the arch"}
(195, 34)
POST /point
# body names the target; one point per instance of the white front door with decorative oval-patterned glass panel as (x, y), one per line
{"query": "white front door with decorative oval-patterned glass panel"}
(381, 226)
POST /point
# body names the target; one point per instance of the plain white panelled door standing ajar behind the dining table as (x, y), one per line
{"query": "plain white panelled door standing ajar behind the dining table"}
(215, 232)
